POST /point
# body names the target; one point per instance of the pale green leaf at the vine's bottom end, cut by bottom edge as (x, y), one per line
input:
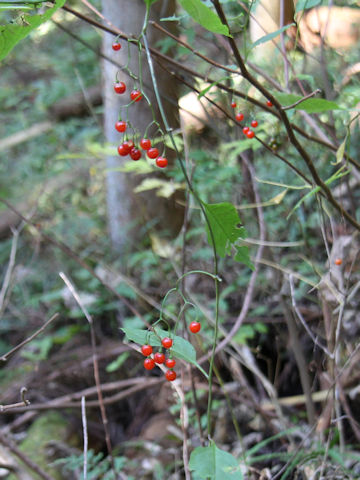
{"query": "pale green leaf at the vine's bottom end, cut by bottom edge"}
(215, 464)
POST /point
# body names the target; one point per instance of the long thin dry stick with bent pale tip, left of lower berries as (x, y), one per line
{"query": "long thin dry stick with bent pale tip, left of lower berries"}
(95, 366)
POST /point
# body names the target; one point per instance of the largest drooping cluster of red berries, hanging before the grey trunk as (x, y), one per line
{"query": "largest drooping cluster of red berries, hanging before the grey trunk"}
(128, 147)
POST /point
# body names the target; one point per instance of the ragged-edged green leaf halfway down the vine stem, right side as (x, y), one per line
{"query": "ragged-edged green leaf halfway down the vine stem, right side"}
(224, 221)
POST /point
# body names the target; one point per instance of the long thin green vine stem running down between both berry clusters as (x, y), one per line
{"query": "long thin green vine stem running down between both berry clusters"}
(201, 205)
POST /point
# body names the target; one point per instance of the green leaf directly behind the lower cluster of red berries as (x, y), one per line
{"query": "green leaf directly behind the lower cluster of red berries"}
(181, 348)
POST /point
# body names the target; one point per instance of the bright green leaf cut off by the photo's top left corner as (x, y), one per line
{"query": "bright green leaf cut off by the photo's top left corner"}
(11, 34)
